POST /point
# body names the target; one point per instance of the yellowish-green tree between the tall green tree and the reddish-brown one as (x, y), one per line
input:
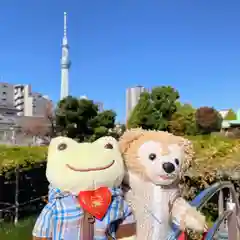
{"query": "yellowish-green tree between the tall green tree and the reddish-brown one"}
(183, 121)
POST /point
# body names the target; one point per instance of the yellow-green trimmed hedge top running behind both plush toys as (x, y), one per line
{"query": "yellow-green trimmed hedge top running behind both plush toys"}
(215, 152)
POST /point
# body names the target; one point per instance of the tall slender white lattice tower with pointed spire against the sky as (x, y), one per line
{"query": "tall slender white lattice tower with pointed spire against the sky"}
(65, 62)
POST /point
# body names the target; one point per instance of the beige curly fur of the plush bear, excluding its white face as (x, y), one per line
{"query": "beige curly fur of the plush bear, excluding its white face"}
(145, 196)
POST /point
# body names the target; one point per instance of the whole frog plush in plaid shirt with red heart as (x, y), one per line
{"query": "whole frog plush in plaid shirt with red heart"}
(85, 201)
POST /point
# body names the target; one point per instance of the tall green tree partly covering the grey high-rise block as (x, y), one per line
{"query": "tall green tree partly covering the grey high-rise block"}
(155, 109)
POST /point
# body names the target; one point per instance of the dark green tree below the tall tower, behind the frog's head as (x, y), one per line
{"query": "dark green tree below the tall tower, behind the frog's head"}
(80, 119)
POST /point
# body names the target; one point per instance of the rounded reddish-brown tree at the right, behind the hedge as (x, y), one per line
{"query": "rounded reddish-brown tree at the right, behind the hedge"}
(208, 120)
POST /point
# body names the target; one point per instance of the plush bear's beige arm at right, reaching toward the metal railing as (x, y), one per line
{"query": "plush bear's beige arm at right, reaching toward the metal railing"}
(186, 216)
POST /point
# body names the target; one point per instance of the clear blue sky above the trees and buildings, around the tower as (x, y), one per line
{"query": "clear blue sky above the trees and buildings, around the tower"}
(193, 46)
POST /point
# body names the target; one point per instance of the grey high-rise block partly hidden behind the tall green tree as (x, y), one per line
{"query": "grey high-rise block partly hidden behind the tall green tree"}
(132, 98)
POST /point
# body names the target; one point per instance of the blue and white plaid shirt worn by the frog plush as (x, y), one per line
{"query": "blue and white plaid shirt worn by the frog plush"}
(61, 218)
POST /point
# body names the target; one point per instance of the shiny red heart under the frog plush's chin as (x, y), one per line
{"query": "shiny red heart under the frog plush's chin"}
(95, 202)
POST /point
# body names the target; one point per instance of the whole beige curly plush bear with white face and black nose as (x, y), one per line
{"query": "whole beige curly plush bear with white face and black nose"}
(154, 161)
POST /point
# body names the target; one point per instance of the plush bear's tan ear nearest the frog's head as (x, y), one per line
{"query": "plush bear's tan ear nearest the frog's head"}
(128, 137)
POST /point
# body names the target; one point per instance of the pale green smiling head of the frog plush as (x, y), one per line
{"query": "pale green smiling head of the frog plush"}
(75, 167)
